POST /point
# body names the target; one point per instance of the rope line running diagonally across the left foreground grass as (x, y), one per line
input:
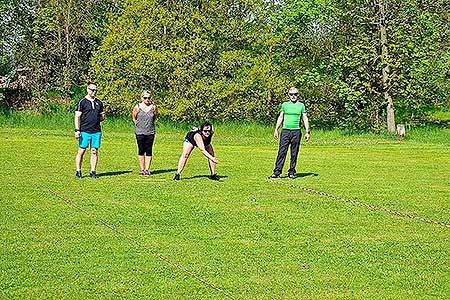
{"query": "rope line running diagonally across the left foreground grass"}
(137, 243)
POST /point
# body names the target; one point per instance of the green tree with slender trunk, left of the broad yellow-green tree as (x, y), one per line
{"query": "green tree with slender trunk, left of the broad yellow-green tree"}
(60, 41)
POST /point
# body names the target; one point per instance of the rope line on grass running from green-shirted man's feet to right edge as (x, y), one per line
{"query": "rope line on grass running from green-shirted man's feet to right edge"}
(365, 205)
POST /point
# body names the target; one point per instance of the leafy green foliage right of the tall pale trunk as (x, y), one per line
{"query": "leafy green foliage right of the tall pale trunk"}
(420, 81)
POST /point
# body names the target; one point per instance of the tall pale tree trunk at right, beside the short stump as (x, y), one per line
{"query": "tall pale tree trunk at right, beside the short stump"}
(384, 62)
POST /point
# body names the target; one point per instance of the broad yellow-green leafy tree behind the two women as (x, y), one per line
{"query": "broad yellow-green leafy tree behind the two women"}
(200, 59)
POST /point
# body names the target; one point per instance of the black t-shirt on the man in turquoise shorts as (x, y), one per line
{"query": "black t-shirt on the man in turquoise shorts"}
(90, 115)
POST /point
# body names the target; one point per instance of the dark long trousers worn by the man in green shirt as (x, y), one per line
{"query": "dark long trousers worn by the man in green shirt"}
(292, 138)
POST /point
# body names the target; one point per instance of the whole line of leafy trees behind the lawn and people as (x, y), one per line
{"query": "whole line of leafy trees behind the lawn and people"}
(358, 64)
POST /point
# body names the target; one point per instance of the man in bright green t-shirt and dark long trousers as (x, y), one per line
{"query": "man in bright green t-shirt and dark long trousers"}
(292, 112)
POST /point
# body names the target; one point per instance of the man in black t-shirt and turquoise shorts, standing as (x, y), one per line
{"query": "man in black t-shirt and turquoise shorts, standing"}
(88, 115)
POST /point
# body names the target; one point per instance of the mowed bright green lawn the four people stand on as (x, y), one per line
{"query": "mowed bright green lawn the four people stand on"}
(129, 237)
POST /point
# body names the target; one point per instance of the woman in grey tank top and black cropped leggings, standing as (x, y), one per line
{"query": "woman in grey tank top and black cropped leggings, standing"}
(144, 116)
